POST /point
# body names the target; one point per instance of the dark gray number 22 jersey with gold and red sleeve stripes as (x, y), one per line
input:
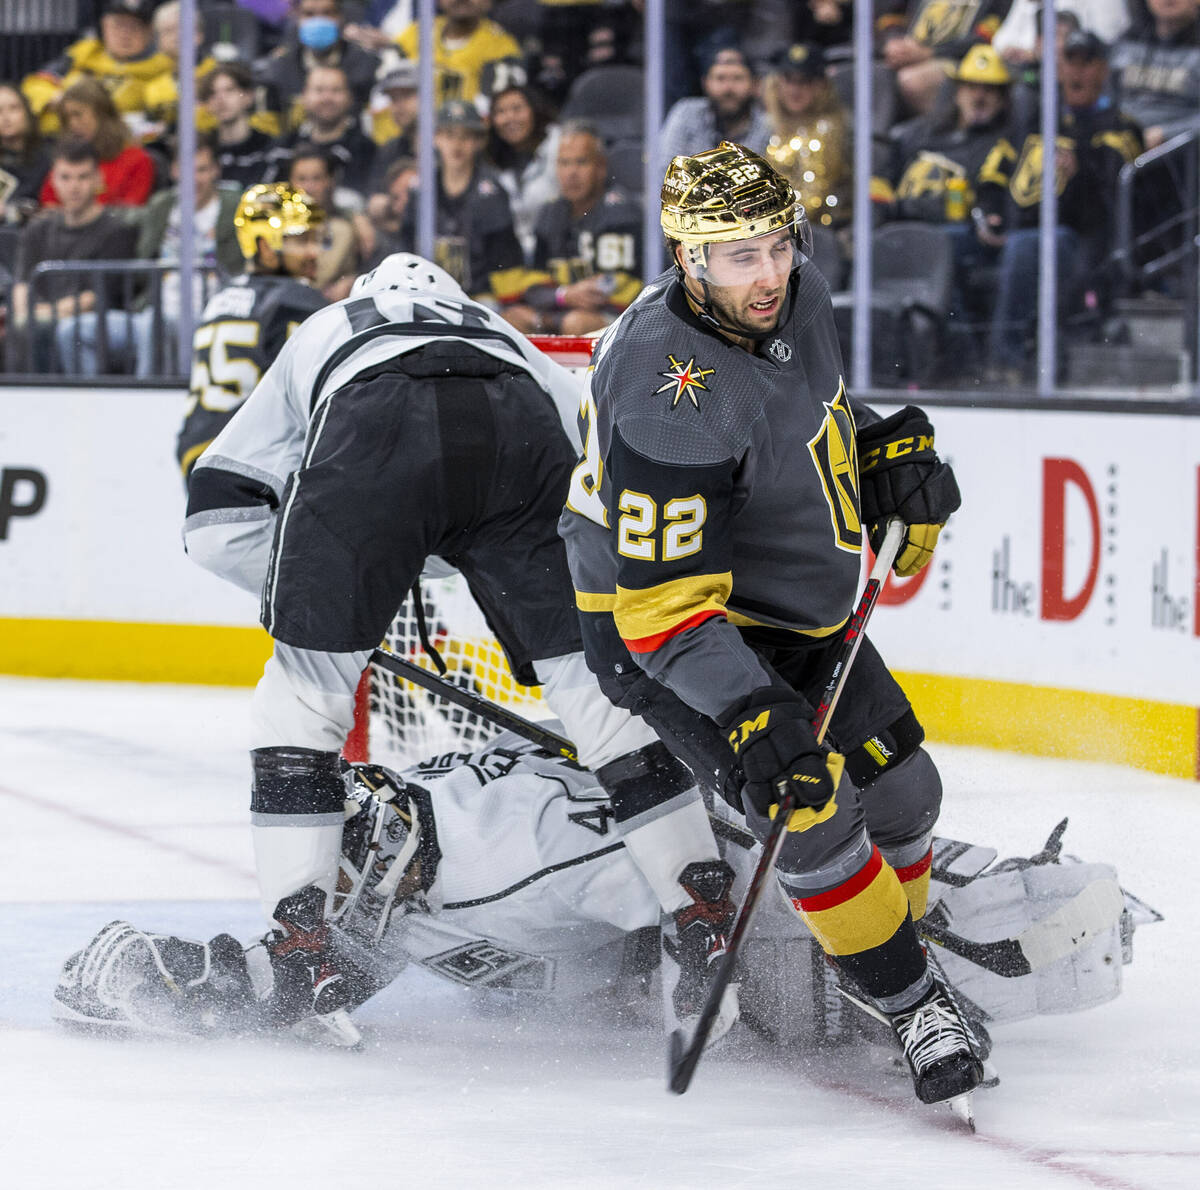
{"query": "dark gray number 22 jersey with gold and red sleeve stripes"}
(718, 490)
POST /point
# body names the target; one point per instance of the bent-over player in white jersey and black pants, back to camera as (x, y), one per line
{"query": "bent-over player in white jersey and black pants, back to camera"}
(405, 424)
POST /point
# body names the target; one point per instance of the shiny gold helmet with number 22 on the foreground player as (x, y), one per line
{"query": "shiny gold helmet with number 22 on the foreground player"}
(725, 194)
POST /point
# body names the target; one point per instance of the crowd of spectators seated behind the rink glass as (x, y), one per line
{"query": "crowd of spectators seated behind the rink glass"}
(539, 183)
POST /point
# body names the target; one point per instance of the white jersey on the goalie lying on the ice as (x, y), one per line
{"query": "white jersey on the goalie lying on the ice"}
(535, 891)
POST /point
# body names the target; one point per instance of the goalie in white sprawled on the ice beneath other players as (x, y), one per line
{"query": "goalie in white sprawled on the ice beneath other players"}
(501, 870)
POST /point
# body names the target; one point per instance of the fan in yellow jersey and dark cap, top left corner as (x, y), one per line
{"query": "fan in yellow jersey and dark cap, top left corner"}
(123, 58)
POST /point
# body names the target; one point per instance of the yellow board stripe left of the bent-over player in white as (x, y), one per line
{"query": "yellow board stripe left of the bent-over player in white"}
(107, 651)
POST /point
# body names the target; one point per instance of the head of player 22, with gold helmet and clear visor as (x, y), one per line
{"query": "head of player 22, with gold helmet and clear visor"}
(739, 235)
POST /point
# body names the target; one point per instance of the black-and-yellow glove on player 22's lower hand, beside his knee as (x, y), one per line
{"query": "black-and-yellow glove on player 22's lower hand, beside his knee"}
(779, 754)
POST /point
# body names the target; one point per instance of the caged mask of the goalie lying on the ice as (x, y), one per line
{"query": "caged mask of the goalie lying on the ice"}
(381, 868)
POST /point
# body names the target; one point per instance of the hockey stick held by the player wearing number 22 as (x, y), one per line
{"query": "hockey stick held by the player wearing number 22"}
(682, 1059)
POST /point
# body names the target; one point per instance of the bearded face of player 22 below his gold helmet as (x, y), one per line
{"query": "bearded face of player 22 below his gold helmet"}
(747, 280)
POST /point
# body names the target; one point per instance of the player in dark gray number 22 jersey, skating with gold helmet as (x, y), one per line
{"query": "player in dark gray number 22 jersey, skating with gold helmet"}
(715, 530)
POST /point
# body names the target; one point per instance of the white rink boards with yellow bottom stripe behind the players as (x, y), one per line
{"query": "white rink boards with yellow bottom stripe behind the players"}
(1060, 616)
